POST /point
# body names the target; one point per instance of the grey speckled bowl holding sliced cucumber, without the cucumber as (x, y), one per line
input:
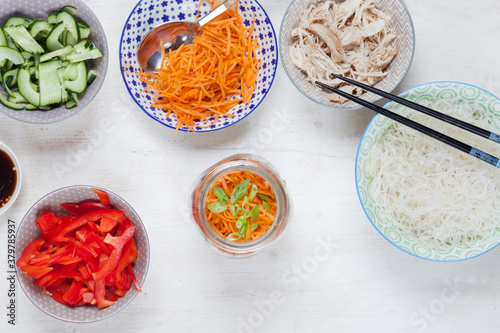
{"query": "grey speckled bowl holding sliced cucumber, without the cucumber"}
(40, 9)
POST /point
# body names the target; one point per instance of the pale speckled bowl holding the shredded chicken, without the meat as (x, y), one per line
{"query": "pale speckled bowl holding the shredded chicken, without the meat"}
(402, 25)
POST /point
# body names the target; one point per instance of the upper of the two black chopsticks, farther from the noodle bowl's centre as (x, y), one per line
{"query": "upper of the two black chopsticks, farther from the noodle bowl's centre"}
(433, 113)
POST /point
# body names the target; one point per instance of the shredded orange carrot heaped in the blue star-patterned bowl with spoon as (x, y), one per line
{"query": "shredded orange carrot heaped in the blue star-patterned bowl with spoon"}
(209, 77)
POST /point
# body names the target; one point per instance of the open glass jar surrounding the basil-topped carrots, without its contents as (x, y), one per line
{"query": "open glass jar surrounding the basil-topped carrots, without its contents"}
(201, 189)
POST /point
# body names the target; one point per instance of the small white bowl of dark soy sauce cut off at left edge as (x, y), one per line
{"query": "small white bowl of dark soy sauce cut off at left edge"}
(10, 177)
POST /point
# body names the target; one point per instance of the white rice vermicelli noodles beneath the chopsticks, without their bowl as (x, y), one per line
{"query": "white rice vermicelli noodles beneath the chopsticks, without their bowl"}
(434, 192)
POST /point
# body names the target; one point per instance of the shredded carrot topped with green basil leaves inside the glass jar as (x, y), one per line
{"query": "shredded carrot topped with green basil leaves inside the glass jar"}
(241, 206)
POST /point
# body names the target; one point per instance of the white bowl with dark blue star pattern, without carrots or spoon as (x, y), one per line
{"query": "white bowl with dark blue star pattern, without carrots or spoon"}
(148, 14)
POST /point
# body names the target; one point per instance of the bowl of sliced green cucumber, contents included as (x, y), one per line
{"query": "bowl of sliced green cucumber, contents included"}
(53, 59)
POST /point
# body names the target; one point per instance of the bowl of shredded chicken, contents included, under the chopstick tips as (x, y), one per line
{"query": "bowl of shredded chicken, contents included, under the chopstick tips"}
(370, 41)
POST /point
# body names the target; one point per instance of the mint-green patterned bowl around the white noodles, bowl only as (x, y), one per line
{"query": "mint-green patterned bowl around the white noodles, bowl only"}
(482, 102)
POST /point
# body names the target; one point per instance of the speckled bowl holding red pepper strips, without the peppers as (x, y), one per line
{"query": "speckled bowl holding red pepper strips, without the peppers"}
(28, 232)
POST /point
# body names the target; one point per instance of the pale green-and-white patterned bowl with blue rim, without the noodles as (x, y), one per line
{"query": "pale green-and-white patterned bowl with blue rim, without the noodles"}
(374, 133)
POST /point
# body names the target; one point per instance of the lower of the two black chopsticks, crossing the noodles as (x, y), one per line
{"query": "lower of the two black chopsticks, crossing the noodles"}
(483, 156)
